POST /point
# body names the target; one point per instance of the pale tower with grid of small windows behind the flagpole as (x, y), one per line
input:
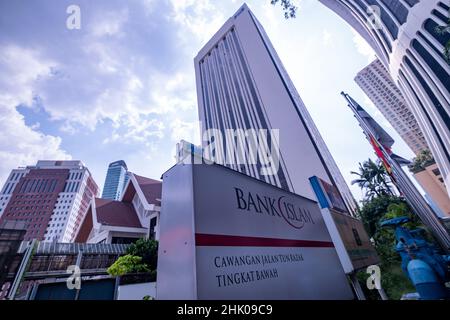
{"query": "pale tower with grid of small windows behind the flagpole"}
(378, 85)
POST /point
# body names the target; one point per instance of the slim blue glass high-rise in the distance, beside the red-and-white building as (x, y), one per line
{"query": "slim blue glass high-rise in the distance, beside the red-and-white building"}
(116, 180)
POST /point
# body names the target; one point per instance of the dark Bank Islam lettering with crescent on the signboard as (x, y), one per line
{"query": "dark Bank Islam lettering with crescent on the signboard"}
(295, 216)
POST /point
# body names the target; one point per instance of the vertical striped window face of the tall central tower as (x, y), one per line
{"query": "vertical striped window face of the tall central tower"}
(227, 82)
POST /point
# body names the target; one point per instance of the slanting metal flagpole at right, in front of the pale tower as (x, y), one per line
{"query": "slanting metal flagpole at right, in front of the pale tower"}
(404, 184)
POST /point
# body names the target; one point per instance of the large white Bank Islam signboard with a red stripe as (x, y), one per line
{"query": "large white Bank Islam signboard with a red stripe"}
(235, 237)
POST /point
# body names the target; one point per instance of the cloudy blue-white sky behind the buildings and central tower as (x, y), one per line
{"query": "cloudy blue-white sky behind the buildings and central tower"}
(123, 85)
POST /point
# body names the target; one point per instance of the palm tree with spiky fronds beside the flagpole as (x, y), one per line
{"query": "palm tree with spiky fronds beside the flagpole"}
(373, 178)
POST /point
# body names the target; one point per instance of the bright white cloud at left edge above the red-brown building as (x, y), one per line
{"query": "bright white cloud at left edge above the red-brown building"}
(20, 70)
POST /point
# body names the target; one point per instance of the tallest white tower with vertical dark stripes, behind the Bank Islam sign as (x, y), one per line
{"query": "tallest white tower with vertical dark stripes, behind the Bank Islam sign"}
(242, 84)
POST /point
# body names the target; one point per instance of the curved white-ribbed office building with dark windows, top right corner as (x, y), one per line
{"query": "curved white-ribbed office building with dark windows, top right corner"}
(405, 40)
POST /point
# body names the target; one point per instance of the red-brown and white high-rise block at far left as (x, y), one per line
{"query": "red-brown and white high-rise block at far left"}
(51, 197)
